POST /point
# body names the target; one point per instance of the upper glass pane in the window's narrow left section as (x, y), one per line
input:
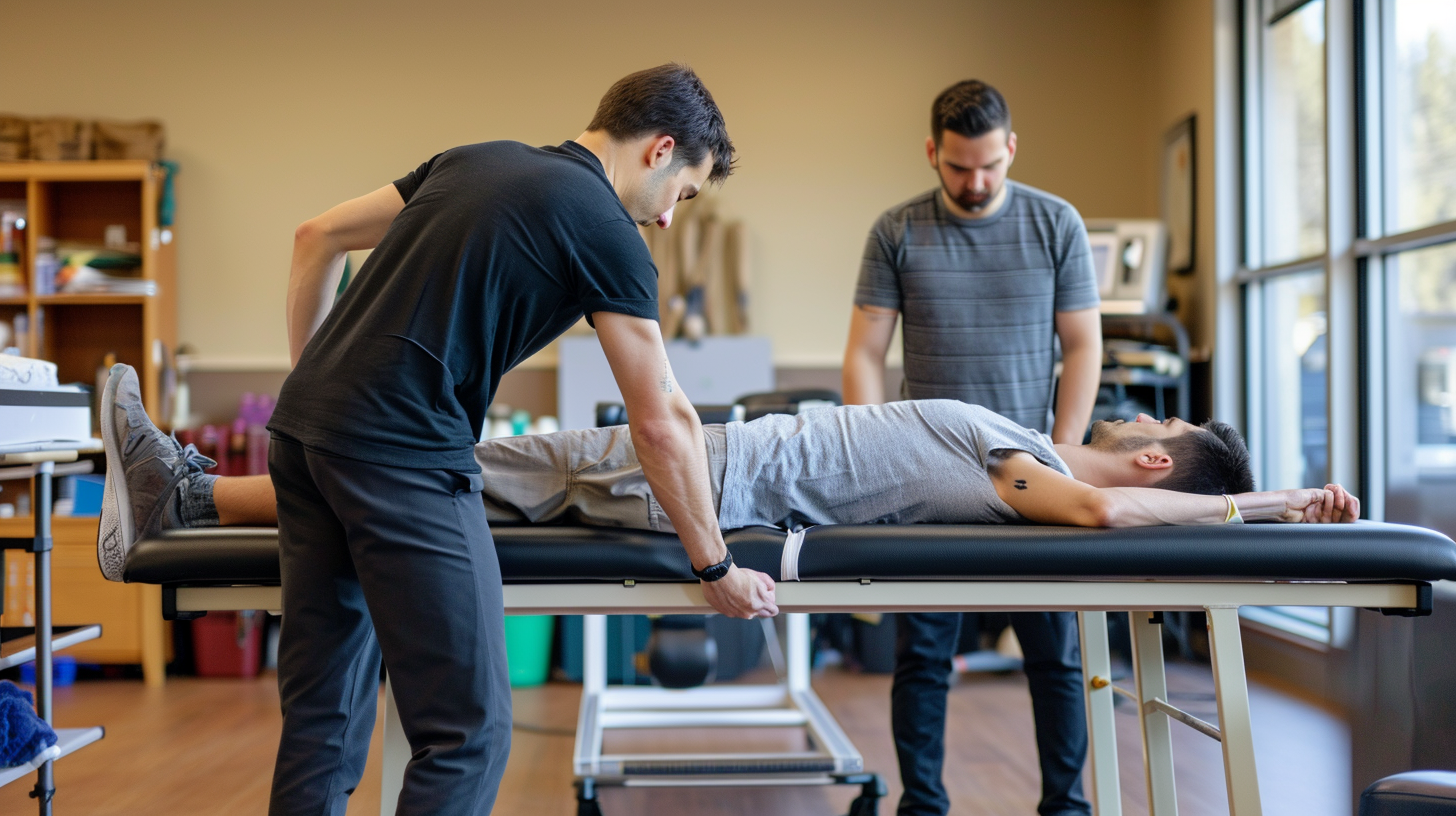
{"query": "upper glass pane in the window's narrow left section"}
(1295, 136)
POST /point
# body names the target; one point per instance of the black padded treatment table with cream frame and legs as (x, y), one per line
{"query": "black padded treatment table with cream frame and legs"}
(890, 569)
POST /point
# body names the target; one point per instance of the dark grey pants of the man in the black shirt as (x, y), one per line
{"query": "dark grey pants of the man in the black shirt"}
(401, 563)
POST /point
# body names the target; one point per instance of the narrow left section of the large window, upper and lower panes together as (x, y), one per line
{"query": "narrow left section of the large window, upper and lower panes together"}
(1288, 205)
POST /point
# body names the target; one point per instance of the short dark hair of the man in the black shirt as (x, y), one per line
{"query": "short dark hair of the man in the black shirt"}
(669, 101)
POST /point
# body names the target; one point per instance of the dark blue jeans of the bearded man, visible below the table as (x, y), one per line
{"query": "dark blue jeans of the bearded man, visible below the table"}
(925, 646)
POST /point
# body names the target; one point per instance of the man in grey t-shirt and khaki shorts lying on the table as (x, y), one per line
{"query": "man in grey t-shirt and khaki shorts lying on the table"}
(934, 461)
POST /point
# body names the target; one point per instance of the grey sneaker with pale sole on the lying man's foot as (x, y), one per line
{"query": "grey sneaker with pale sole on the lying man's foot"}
(148, 473)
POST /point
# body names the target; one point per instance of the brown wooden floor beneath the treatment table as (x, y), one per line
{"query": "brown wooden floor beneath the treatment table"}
(207, 747)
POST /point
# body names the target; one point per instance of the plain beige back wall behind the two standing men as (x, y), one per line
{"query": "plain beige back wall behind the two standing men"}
(279, 110)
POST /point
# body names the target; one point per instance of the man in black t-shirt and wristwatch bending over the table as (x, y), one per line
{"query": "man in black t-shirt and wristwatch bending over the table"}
(483, 256)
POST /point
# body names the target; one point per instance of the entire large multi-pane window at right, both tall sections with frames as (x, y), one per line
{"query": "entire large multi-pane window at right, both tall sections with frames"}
(1349, 276)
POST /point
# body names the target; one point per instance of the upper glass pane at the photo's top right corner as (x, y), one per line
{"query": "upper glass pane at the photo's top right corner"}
(1420, 116)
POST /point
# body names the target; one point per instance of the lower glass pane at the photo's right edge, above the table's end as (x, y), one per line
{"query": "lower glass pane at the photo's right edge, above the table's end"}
(1422, 388)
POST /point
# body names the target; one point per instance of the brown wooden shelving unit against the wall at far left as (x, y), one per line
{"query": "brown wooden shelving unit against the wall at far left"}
(76, 202)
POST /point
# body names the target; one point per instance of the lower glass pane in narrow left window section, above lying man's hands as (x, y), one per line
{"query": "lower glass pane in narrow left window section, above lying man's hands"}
(1295, 353)
